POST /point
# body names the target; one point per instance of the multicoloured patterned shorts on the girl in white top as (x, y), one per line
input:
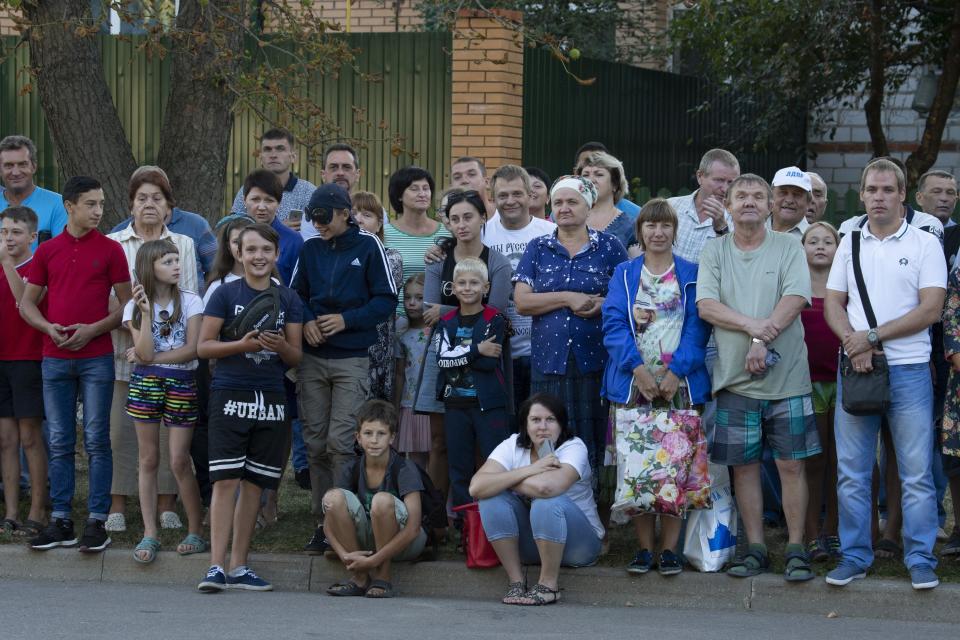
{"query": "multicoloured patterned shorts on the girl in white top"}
(169, 395)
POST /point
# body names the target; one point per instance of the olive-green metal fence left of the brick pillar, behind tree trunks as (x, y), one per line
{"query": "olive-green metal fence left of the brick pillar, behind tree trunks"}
(413, 99)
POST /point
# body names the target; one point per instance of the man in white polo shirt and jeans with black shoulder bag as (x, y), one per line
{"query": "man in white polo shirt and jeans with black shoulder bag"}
(906, 278)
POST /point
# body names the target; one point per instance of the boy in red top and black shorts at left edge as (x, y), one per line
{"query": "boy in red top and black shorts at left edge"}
(21, 391)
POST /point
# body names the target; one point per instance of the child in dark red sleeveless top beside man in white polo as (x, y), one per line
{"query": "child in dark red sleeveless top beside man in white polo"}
(820, 242)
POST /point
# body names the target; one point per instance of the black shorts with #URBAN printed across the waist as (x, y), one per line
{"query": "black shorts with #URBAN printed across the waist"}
(248, 433)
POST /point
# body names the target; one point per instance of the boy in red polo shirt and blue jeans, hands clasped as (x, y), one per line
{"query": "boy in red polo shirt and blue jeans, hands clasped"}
(78, 269)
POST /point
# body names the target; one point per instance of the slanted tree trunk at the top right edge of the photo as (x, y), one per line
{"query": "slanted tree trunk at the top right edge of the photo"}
(926, 154)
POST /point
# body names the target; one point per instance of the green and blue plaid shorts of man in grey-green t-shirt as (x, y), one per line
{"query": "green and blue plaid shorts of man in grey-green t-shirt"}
(742, 425)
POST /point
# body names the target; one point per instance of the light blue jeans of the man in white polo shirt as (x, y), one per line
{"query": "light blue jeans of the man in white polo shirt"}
(910, 418)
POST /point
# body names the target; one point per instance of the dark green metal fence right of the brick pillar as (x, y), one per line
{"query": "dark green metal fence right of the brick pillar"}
(655, 122)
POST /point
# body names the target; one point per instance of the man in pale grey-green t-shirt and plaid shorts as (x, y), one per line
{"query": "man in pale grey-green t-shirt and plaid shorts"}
(751, 287)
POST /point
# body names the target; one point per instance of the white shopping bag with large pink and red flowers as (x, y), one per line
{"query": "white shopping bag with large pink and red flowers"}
(662, 463)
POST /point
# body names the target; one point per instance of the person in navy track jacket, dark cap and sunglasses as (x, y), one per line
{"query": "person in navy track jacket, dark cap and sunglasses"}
(344, 280)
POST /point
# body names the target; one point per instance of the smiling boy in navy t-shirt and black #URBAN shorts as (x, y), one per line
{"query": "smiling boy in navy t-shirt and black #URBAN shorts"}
(248, 423)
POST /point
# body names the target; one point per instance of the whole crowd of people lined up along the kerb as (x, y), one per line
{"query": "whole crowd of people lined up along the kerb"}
(516, 351)
